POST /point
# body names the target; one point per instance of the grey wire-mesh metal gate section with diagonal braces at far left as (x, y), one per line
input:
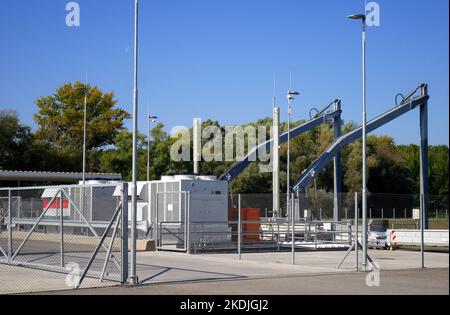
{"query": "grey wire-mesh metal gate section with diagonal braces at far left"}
(81, 230)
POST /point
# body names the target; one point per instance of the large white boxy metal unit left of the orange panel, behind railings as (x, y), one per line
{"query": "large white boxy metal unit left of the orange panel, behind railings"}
(206, 217)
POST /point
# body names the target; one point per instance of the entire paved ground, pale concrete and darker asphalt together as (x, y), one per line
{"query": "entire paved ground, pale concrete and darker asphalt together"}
(256, 273)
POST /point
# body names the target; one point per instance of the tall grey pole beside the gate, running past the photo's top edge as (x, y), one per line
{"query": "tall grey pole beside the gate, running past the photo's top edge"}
(133, 277)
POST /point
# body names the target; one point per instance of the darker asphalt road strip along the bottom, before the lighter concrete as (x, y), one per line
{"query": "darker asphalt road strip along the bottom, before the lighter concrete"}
(399, 282)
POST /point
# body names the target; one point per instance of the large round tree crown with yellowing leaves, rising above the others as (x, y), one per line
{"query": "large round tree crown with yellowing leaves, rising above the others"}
(60, 118)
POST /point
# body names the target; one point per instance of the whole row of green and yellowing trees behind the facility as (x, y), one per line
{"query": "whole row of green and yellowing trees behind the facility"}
(56, 145)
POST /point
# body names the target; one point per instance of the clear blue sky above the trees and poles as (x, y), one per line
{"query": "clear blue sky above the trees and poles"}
(216, 58)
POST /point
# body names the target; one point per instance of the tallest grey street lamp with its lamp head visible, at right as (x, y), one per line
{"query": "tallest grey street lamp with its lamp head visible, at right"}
(362, 17)
